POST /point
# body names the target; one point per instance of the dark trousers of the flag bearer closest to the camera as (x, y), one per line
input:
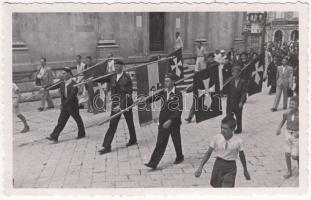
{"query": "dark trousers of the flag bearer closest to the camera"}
(162, 140)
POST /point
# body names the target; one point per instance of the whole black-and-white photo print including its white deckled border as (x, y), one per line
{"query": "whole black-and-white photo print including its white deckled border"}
(157, 98)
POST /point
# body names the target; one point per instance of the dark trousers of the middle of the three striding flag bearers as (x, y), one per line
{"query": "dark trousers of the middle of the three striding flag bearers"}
(114, 125)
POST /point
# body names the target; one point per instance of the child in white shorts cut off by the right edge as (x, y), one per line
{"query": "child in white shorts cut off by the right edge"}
(291, 118)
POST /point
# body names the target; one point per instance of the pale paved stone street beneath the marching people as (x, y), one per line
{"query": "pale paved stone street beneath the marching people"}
(76, 164)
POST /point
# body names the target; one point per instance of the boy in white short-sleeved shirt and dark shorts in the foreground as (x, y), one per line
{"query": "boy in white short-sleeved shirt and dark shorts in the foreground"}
(227, 148)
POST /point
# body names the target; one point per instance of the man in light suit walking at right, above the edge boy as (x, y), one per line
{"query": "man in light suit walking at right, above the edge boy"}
(284, 78)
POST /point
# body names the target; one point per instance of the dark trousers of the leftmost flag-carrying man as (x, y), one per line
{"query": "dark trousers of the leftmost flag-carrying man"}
(62, 121)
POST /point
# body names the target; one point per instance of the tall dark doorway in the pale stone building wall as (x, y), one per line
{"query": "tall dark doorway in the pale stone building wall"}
(156, 31)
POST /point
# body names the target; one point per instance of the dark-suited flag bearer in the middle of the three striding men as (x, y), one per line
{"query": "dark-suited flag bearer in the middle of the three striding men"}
(121, 98)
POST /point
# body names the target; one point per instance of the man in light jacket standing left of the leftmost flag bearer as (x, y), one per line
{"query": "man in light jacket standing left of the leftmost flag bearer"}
(44, 78)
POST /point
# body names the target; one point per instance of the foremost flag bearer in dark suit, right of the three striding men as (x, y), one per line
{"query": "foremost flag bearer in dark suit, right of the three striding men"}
(169, 122)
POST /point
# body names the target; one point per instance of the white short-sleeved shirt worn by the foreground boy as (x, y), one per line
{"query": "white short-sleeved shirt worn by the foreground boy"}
(226, 149)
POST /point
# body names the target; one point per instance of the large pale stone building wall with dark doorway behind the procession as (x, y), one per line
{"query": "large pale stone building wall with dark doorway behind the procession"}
(61, 36)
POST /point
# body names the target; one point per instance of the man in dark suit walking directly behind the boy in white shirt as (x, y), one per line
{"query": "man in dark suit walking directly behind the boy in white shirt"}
(236, 97)
